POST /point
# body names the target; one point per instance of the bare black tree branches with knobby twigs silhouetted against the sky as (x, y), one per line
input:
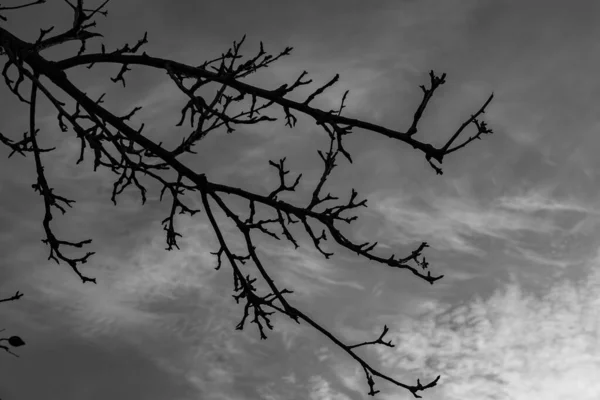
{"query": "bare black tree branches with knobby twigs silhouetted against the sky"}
(116, 145)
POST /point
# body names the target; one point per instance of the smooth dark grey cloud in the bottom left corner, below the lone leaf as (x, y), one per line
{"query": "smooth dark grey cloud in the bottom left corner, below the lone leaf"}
(63, 365)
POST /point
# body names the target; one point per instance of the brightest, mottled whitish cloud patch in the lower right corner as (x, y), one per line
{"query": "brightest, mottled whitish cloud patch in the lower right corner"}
(512, 346)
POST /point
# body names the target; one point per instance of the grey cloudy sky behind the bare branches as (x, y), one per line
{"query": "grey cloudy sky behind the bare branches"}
(513, 224)
